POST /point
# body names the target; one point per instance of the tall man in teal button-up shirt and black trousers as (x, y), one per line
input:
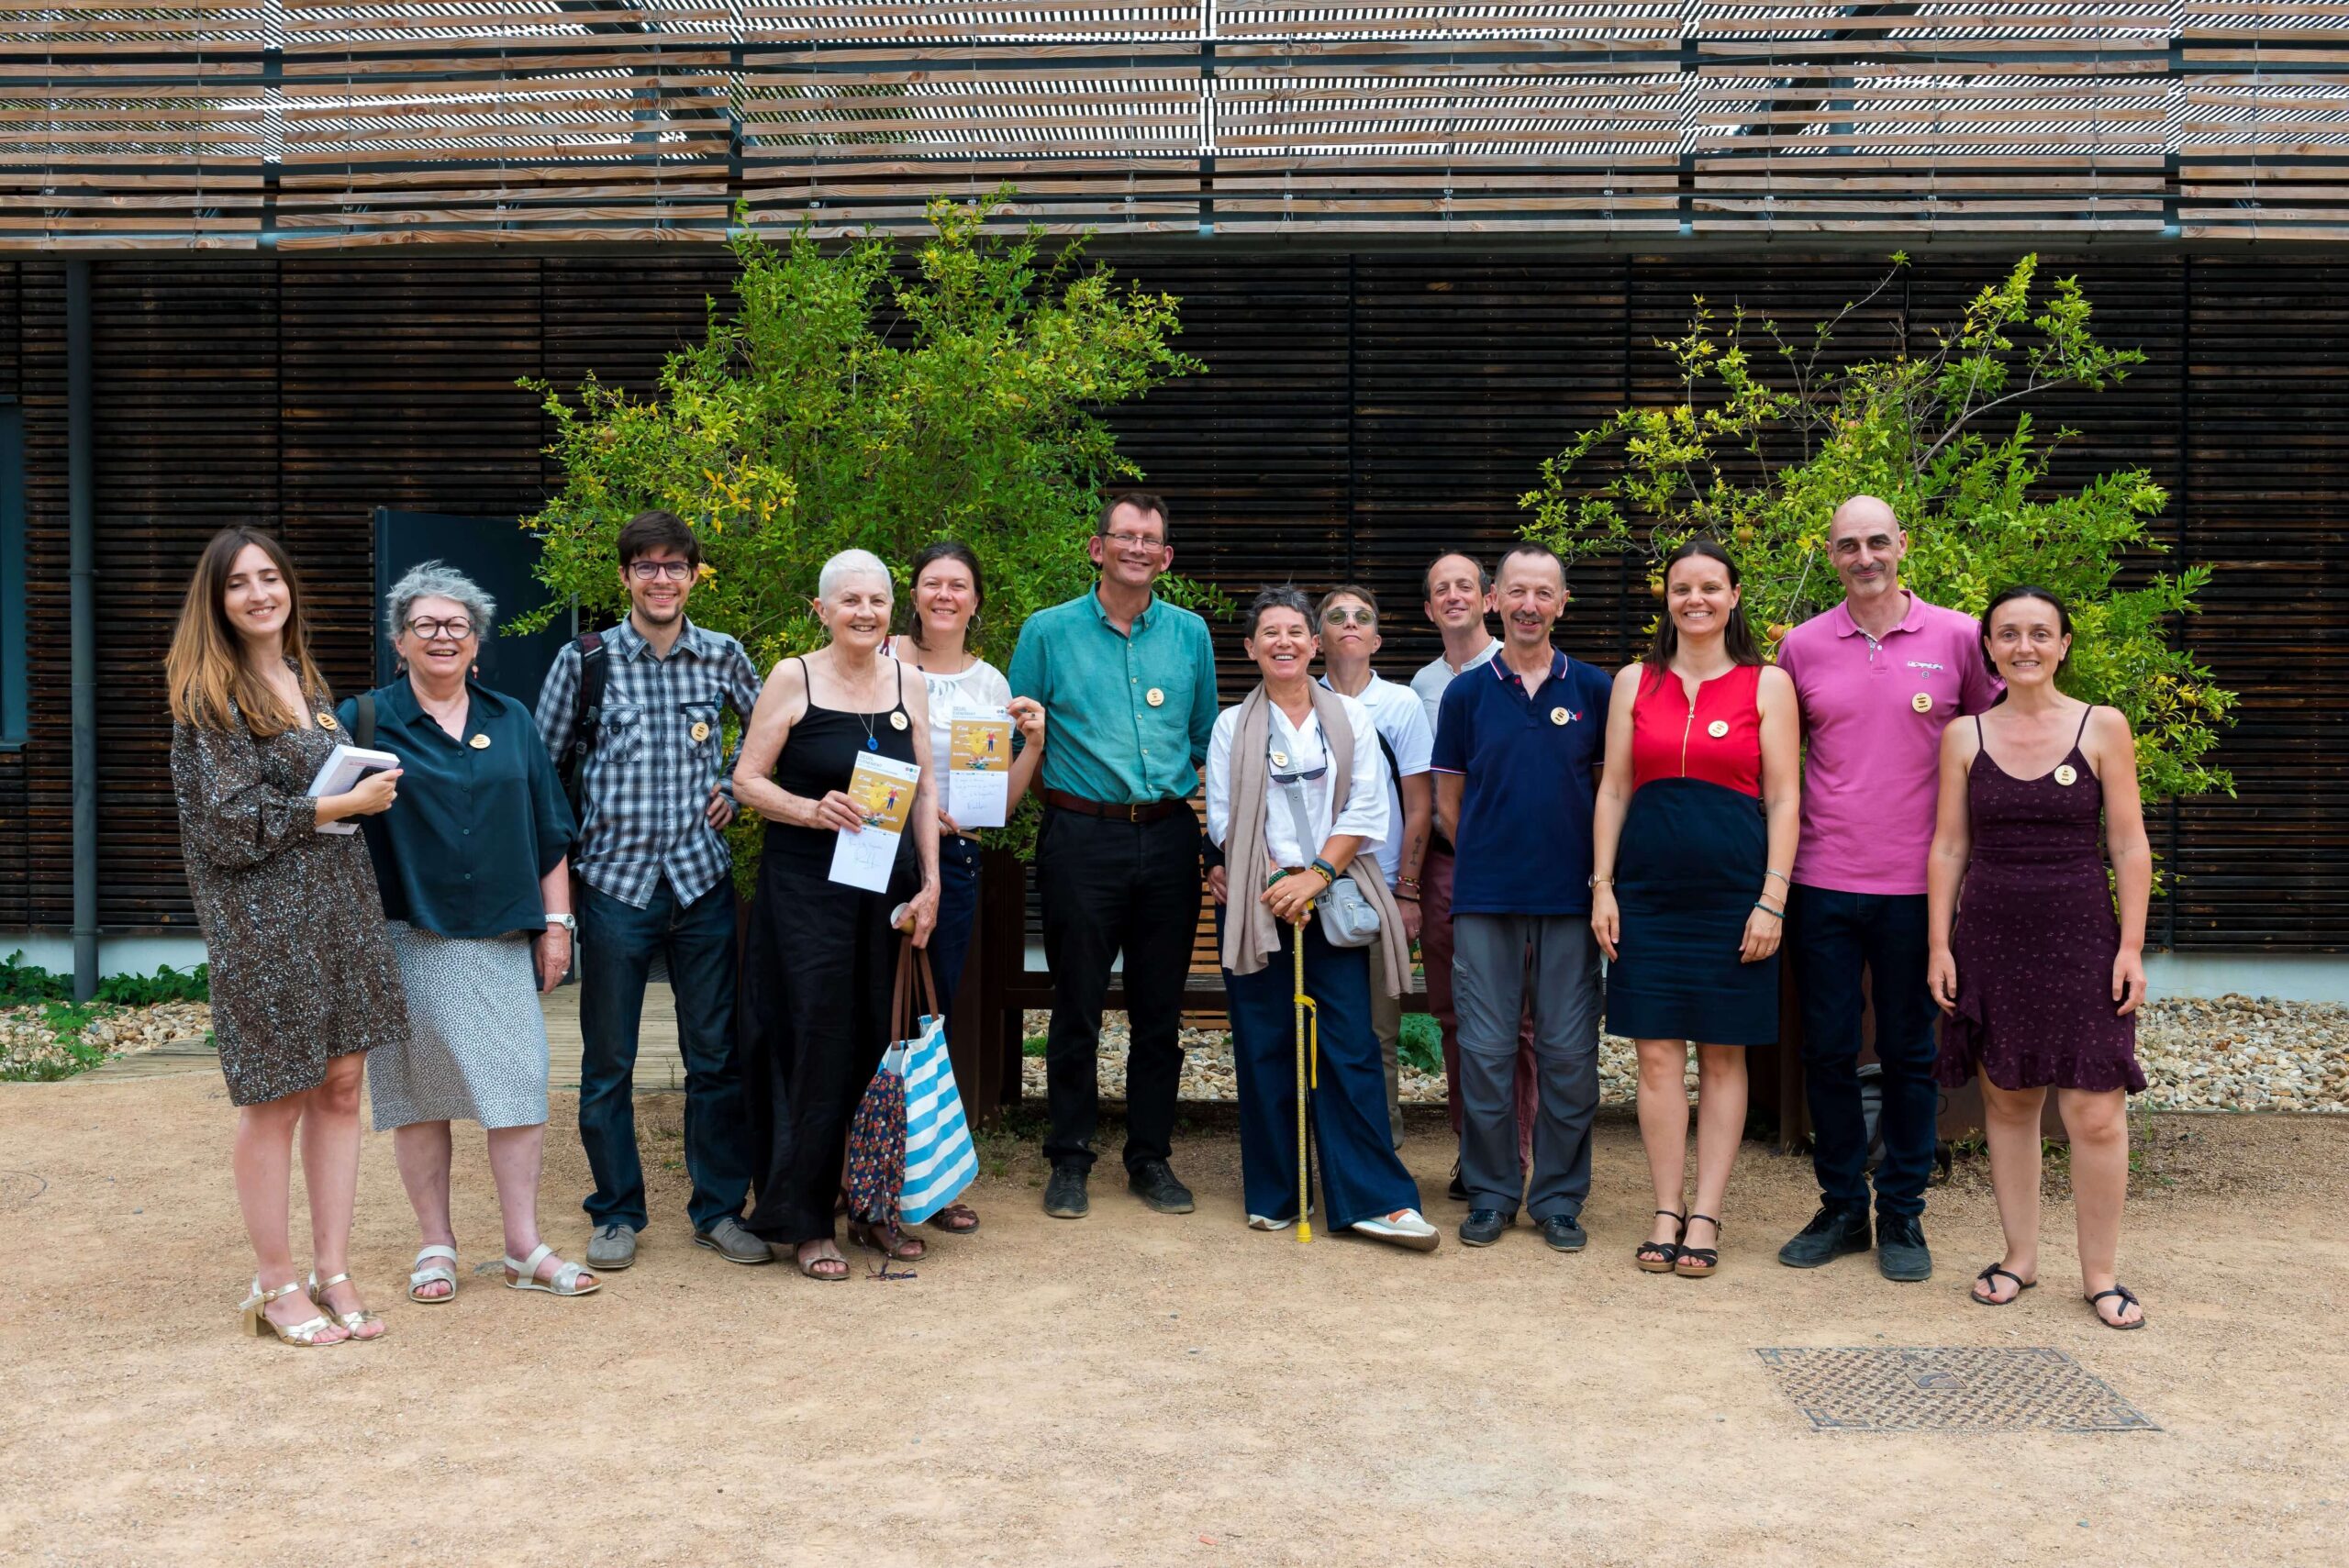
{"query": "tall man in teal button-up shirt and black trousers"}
(1129, 694)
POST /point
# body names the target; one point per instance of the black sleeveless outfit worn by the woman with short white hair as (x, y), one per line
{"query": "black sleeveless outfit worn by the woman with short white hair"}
(816, 980)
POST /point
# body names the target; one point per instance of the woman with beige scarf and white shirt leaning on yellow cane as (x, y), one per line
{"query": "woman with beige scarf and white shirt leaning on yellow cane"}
(1293, 797)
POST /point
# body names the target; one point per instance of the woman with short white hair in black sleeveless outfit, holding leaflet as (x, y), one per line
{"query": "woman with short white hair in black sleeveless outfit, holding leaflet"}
(816, 980)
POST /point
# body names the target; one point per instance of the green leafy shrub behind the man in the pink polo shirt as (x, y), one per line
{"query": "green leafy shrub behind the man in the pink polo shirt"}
(1768, 440)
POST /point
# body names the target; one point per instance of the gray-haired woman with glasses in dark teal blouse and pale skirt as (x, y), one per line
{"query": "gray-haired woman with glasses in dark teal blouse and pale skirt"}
(476, 884)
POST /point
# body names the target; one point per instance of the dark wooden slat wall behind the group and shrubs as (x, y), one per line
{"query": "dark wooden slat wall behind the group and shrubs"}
(1359, 414)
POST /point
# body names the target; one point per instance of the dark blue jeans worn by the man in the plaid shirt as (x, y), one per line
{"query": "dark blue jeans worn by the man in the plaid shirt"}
(617, 952)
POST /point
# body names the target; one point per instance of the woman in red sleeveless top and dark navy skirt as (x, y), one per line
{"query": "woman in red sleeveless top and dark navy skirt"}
(1692, 849)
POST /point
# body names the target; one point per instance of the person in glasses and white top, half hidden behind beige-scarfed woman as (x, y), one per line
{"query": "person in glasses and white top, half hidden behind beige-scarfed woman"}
(1350, 630)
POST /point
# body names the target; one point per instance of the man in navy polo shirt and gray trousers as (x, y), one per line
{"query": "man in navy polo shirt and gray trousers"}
(1519, 752)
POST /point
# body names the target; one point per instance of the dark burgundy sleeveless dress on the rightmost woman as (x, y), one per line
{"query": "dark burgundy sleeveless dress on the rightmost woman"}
(2035, 938)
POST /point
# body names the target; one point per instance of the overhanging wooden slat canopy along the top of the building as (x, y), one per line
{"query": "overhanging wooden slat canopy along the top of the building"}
(335, 126)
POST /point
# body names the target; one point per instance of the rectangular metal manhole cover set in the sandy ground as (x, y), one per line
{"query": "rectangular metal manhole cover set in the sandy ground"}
(1963, 1388)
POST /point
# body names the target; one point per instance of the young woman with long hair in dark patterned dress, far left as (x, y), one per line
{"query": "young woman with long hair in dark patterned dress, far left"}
(302, 973)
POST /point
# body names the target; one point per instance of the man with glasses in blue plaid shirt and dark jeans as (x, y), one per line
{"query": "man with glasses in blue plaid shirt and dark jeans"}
(654, 799)
